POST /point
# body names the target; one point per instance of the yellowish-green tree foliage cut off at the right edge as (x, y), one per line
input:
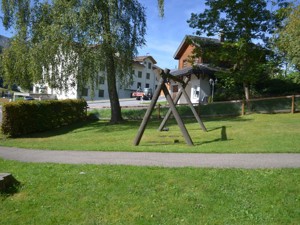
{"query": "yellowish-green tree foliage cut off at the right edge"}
(289, 37)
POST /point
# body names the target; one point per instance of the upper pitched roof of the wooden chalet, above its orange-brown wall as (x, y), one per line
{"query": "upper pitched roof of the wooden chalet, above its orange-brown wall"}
(190, 39)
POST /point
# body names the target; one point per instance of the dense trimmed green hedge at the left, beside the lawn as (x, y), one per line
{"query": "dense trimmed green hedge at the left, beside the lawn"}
(24, 117)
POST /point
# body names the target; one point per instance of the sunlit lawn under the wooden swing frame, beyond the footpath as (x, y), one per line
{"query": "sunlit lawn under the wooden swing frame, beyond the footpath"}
(260, 133)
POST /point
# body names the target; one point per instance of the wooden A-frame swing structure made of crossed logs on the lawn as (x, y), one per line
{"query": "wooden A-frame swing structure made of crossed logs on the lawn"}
(164, 77)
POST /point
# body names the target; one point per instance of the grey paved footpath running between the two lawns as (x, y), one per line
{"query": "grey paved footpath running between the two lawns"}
(250, 161)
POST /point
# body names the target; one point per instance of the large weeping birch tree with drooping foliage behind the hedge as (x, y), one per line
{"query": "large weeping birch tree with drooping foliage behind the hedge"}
(67, 41)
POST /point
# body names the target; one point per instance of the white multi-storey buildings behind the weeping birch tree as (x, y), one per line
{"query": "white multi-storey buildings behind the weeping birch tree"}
(144, 76)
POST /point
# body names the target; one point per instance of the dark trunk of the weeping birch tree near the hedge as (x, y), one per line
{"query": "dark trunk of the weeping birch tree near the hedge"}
(116, 115)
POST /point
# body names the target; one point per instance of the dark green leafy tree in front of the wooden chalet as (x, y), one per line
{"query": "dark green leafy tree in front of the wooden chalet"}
(240, 23)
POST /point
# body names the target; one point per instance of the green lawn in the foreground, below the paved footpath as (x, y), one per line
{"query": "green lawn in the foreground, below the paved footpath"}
(90, 194)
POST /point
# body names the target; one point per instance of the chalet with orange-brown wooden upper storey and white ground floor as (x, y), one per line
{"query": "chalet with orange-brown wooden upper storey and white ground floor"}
(200, 72)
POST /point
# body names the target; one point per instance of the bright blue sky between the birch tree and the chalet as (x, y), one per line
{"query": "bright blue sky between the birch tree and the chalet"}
(164, 35)
